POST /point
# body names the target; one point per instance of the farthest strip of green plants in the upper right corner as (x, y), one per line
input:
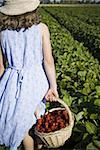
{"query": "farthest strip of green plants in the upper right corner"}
(90, 15)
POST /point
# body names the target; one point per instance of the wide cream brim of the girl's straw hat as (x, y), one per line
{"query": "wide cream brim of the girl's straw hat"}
(18, 10)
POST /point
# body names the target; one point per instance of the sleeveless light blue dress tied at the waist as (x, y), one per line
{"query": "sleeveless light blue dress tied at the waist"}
(23, 84)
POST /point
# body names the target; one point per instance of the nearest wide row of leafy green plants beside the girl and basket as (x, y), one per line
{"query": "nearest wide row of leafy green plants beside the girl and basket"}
(78, 79)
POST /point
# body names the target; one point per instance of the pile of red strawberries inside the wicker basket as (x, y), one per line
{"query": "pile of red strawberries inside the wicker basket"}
(53, 121)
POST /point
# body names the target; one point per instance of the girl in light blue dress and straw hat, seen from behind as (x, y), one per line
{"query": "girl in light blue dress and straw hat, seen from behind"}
(30, 77)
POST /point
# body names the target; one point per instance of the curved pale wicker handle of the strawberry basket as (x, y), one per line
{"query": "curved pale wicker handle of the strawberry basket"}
(71, 118)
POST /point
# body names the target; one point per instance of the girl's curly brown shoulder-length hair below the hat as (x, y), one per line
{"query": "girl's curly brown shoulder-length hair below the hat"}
(20, 21)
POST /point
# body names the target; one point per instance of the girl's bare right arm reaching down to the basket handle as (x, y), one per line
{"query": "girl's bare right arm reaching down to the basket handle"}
(49, 61)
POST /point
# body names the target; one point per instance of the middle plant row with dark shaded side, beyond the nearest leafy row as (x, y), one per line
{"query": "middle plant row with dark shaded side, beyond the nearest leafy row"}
(89, 35)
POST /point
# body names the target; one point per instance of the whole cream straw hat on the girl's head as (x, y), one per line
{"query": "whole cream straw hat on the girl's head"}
(18, 7)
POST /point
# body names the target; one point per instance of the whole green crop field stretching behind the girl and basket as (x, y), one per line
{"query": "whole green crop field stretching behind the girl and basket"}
(75, 39)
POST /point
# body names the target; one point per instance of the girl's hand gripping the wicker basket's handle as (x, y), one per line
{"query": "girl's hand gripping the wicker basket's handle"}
(52, 95)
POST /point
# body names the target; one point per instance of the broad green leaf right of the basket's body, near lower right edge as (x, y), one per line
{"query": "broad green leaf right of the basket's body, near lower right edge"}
(91, 128)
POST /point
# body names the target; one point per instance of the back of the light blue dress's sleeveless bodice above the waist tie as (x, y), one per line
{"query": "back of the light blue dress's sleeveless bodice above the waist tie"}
(16, 45)
